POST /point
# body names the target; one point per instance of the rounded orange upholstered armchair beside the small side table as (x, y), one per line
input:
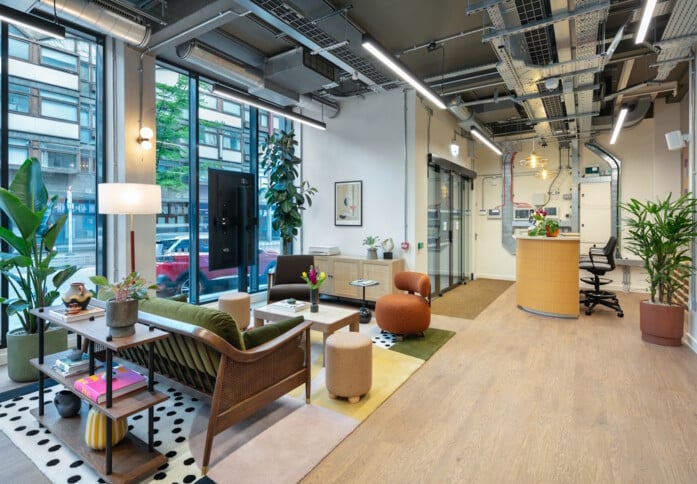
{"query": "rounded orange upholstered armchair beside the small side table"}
(406, 313)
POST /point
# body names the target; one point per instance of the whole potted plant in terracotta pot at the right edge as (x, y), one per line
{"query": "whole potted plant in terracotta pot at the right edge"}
(660, 233)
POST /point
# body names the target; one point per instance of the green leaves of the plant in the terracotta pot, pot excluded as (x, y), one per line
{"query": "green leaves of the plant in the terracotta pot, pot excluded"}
(660, 233)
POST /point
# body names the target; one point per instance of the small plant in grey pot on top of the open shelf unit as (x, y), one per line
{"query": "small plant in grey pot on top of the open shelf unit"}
(122, 302)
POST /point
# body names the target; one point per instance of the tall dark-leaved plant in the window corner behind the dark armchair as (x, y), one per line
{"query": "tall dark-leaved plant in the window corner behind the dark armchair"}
(285, 198)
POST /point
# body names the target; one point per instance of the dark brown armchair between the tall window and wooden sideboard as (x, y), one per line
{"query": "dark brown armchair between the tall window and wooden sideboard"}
(285, 281)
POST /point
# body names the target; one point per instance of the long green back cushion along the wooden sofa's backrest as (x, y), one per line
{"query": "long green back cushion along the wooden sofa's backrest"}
(213, 320)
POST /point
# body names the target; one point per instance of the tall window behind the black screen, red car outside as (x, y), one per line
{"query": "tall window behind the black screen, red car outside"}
(226, 131)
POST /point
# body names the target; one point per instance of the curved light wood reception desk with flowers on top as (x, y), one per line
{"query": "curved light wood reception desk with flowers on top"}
(547, 275)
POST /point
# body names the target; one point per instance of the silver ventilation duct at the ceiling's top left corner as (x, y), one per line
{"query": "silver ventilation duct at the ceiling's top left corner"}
(99, 18)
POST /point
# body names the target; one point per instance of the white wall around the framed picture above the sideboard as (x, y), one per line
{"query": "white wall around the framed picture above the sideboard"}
(369, 141)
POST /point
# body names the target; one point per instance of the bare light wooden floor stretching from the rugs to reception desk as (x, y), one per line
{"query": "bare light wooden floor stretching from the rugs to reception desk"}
(517, 398)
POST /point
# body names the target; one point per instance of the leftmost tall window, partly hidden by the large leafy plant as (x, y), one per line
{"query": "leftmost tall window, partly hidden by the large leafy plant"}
(54, 113)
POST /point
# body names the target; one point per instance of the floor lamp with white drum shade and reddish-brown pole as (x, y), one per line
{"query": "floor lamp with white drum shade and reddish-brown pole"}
(129, 199)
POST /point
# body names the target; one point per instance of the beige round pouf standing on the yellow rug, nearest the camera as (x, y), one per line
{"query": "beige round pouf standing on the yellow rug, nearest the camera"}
(348, 365)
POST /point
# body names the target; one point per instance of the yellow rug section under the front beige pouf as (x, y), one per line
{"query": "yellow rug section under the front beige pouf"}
(390, 370)
